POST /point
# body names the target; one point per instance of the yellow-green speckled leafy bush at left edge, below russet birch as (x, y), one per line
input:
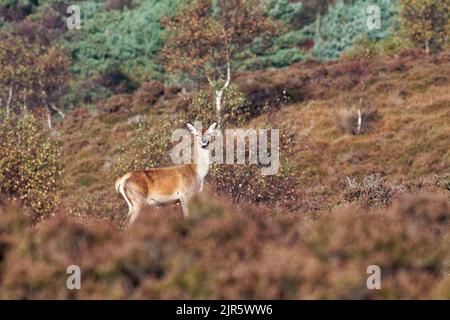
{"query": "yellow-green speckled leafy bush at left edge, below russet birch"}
(30, 167)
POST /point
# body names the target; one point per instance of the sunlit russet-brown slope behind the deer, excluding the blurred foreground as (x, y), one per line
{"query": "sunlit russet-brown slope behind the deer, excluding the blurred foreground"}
(405, 103)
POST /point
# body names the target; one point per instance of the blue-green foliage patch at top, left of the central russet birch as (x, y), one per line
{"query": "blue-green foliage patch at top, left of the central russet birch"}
(127, 40)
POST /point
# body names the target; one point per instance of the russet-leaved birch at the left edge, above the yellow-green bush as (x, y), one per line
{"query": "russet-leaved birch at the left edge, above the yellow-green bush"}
(32, 76)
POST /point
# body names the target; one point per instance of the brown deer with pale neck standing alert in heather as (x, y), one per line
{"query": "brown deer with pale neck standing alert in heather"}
(158, 186)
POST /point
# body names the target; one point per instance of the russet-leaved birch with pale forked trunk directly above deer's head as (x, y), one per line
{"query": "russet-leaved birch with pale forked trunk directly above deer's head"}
(205, 37)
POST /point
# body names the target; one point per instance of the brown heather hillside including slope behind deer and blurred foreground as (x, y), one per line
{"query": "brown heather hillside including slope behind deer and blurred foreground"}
(312, 234)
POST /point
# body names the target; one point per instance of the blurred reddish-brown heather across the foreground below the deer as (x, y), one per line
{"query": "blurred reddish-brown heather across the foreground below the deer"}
(241, 254)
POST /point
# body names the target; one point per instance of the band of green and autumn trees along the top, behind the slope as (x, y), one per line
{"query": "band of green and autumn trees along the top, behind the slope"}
(120, 42)
